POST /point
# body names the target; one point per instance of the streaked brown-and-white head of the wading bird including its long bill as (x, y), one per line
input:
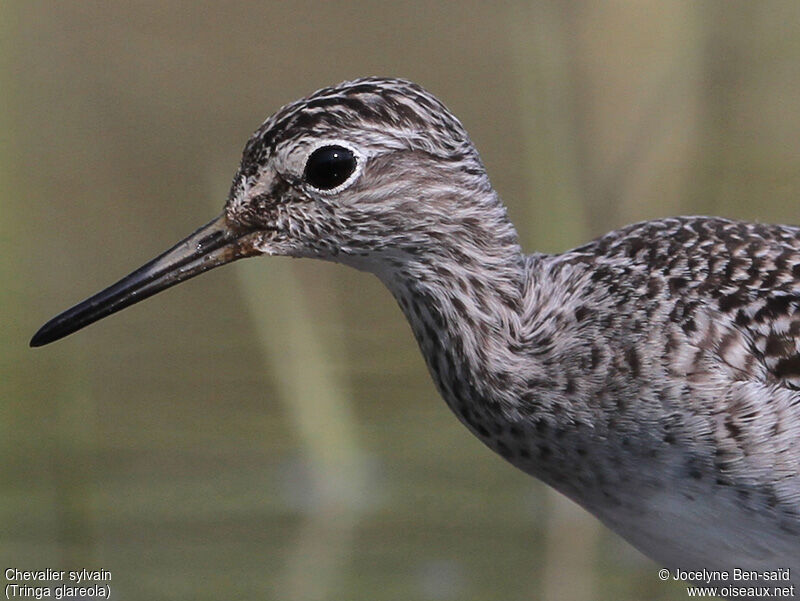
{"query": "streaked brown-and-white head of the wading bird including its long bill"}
(371, 173)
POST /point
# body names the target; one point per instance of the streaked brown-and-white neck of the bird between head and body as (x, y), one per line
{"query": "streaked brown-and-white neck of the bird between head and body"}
(463, 298)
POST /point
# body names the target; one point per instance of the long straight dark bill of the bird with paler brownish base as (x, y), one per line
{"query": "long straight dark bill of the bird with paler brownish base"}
(214, 244)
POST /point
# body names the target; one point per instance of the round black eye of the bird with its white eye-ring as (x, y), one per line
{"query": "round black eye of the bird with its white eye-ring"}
(331, 166)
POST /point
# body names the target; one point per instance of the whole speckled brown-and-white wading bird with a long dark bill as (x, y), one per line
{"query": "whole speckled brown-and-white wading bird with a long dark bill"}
(651, 375)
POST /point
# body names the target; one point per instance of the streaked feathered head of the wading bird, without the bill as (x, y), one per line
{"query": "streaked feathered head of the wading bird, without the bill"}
(363, 172)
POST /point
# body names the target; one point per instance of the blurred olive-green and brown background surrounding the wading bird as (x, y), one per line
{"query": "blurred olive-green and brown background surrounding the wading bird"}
(269, 431)
